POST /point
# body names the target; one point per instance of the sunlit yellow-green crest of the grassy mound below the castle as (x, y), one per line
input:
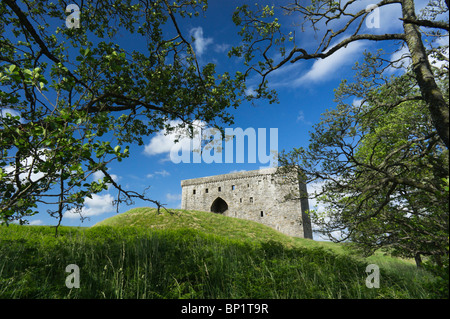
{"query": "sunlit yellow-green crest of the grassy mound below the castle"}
(232, 228)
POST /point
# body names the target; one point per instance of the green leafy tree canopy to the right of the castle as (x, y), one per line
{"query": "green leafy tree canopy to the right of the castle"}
(382, 167)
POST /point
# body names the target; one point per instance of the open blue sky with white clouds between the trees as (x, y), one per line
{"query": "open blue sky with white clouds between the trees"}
(305, 90)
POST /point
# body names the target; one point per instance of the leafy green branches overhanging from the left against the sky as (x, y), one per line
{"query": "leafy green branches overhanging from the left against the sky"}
(74, 99)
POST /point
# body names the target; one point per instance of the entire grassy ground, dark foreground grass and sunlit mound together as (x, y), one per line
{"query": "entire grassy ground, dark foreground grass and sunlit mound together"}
(141, 254)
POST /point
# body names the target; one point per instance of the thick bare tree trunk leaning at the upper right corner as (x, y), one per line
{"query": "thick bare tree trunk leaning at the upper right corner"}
(424, 75)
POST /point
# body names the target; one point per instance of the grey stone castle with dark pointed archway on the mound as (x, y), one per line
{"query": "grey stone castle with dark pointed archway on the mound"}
(258, 195)
